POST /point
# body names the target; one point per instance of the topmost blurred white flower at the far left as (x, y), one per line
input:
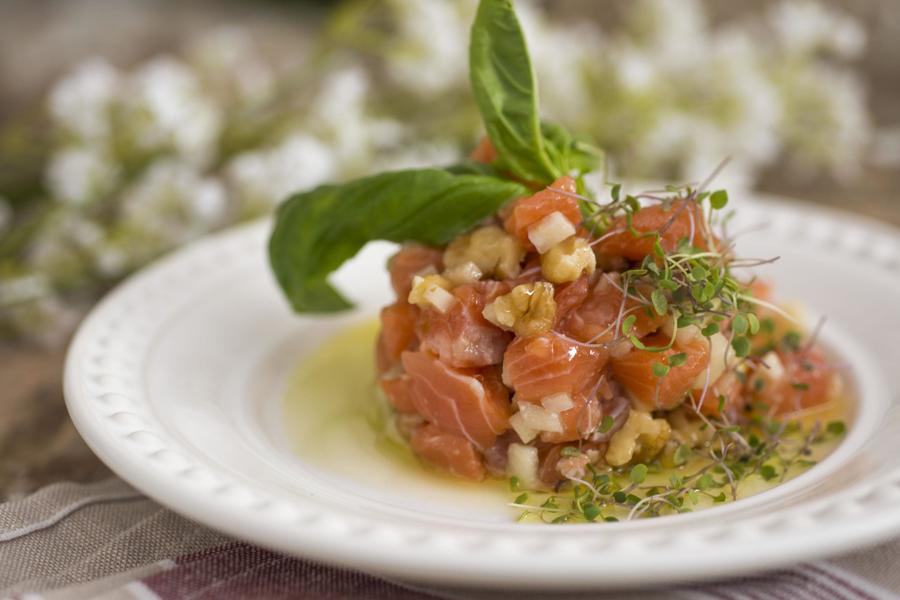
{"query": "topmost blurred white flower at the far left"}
(80, 102)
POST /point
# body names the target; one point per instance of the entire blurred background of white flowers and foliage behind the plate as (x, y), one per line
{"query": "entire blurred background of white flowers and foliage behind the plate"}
(128, 128)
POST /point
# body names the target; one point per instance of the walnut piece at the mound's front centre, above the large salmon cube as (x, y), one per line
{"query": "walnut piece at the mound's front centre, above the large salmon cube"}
(528, 309)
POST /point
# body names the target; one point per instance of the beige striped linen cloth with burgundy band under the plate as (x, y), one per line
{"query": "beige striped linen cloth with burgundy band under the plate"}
(108, 541)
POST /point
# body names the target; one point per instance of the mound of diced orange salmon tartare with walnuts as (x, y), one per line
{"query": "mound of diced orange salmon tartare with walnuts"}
(563, 329)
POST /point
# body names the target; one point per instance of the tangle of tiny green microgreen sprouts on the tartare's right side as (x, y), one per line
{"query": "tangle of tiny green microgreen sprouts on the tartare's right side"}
(688, 280)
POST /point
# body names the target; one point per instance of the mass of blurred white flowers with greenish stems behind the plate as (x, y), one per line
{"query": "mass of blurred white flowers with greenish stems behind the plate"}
(669, 95)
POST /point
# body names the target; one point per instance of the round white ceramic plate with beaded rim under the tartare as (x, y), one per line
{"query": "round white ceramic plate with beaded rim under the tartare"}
(176, 381)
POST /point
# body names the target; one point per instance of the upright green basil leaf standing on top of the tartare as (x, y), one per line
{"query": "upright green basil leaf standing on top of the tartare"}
(504, 85)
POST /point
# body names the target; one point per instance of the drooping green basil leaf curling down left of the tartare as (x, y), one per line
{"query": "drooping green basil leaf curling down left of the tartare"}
(317, 231)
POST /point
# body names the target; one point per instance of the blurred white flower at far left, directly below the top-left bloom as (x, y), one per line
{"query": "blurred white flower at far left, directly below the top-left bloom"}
(80, 175)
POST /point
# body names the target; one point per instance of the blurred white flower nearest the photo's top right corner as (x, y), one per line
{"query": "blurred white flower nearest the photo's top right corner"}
(805, 26)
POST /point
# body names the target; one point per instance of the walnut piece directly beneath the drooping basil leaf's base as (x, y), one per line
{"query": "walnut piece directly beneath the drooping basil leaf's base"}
(495, 252)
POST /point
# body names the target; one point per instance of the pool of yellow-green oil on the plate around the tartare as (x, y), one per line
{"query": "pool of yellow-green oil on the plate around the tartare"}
(337, 423)
